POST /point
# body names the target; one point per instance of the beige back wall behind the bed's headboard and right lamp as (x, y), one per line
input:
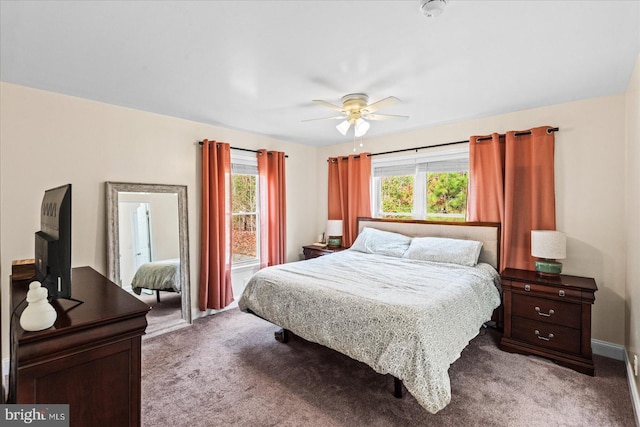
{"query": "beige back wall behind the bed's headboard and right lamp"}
(590, 188)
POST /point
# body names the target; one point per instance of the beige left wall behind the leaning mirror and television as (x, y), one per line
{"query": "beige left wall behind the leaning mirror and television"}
(49, 139)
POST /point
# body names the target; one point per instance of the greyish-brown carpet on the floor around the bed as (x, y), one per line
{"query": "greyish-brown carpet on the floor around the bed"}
(227, 369)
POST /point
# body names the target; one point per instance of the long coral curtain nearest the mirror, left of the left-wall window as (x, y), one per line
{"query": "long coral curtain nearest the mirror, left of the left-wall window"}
(215, 230)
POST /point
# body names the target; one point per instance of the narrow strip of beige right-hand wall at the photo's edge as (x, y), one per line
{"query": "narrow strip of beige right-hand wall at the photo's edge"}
(632, 337)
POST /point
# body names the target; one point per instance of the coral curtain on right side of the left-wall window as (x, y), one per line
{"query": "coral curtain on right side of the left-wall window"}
(273, 208)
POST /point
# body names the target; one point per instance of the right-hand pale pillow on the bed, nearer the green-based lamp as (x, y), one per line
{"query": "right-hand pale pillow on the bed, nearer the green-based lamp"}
(441, 249)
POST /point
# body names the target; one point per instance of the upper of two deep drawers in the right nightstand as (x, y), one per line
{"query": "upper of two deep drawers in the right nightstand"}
(547, 310)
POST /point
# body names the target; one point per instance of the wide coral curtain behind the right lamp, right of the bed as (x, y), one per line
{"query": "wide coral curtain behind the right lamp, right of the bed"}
(523, 165)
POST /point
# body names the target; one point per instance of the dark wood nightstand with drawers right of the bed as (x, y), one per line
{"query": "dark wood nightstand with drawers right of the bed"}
(549, 317)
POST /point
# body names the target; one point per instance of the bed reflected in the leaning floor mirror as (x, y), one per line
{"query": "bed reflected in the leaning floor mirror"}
(158, 276)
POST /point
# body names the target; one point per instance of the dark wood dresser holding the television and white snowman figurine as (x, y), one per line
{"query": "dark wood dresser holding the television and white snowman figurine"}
(90, 358)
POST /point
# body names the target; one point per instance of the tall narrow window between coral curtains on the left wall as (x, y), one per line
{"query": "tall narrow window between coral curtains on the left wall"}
(245, 211)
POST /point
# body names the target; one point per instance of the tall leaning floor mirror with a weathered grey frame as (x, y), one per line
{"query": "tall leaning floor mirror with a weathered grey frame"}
(148, 248)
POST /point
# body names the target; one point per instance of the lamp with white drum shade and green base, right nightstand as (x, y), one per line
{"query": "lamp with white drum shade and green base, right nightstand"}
(549, 245)
